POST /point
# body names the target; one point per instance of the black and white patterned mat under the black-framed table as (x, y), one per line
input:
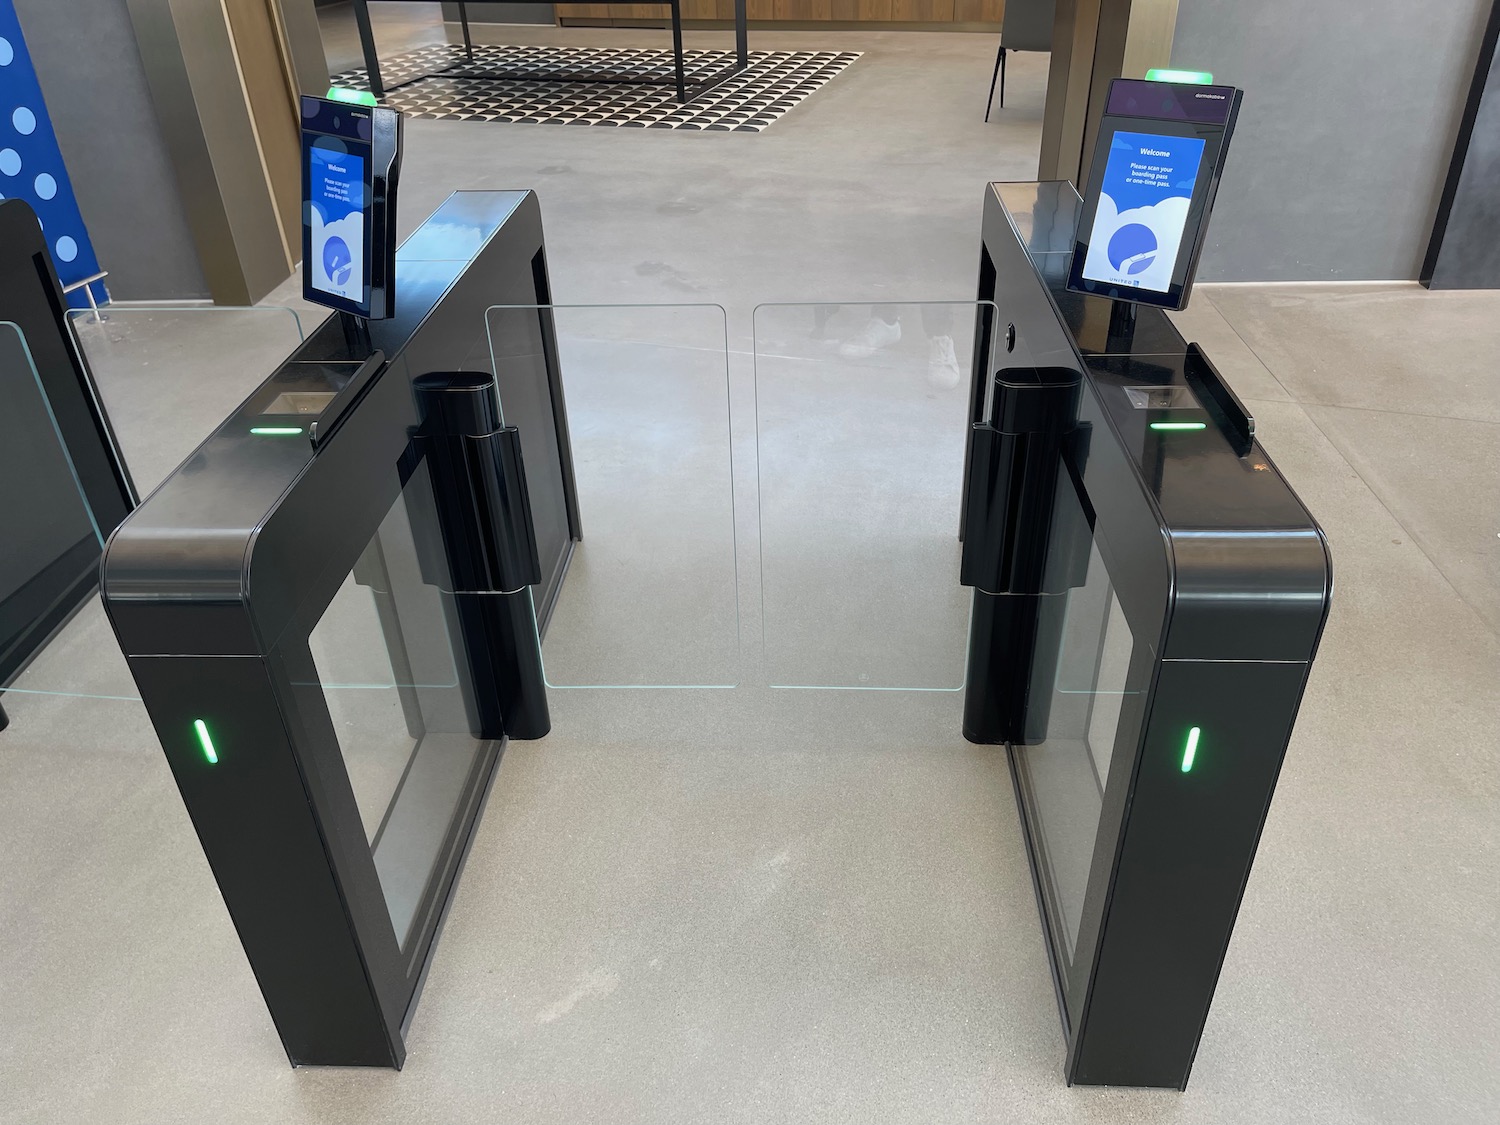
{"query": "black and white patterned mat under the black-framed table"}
(746, 103)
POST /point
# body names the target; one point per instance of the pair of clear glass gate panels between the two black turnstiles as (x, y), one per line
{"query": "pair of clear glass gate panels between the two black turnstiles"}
(833, 565)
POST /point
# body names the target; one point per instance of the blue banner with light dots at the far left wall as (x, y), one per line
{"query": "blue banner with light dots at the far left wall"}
(32, 166)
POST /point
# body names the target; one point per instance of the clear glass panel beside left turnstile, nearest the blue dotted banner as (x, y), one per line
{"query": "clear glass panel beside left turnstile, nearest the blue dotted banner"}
(169, 376)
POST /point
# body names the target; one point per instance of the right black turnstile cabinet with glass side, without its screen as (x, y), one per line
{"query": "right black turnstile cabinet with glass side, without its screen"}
(1150, 595)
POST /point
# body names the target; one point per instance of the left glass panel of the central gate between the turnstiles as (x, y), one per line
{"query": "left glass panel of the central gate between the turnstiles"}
(652, 596)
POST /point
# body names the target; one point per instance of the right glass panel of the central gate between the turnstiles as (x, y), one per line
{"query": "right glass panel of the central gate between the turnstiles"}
(862, 425)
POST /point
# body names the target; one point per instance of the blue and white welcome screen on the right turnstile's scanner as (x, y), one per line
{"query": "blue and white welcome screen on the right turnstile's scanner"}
(1144, 209)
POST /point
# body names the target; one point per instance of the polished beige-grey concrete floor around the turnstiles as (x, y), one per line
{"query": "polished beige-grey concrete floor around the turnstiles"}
(760, 907)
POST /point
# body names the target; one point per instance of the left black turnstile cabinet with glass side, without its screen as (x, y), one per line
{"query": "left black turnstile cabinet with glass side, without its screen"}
(362, 523)
